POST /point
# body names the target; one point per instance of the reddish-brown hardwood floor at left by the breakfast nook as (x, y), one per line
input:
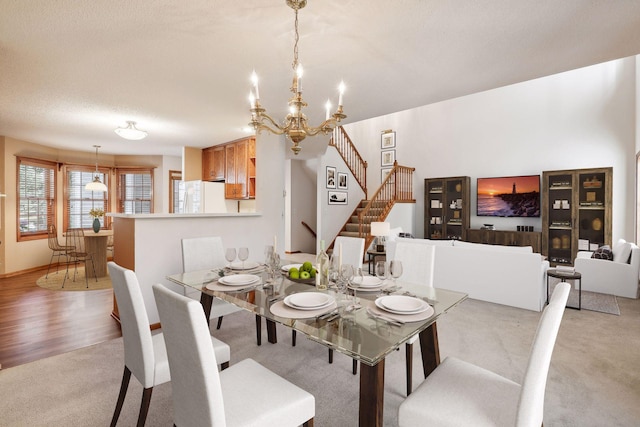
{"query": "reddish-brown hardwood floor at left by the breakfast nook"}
(36, 323)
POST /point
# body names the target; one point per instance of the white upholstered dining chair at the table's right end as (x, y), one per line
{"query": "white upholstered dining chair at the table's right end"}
(458, 393)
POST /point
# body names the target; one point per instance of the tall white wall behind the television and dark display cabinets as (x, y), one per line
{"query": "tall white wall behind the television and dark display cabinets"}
(579, 119)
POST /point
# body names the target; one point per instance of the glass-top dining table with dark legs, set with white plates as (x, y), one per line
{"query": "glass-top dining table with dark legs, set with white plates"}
(367, 331)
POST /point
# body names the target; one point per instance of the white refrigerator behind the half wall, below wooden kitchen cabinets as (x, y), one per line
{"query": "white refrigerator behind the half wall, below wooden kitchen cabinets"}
(205, 197)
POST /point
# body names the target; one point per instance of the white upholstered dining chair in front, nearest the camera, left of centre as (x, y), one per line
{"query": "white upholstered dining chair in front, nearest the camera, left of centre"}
(246, 394)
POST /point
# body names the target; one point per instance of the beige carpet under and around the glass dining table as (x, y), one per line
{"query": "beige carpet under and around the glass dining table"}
(593, 379)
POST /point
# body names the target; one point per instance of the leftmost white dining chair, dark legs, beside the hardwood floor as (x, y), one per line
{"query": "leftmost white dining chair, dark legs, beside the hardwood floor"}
(145, 354)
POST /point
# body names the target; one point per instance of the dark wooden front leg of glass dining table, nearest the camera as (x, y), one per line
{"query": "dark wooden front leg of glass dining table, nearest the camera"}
(371, 395)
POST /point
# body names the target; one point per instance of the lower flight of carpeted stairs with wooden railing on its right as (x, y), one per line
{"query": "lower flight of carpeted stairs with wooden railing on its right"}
(396, 187)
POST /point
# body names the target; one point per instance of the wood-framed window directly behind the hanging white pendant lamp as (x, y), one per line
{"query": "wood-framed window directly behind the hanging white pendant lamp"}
(78, 201)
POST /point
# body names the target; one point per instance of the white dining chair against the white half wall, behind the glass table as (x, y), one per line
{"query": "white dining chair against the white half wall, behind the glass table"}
(201, 253)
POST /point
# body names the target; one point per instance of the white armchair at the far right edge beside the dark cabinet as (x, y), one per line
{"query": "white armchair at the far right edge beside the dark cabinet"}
(618, 277)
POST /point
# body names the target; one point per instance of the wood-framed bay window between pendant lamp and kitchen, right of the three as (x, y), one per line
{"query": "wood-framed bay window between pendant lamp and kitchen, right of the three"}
(135, 191)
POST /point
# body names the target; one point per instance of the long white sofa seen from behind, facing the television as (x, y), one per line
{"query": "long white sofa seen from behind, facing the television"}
(508, 275)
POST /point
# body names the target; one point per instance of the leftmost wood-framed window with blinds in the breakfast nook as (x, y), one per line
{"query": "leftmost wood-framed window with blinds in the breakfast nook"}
(37, 197)
